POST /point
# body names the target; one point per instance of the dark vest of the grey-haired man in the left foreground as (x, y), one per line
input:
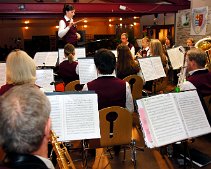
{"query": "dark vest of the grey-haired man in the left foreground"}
(23, 161)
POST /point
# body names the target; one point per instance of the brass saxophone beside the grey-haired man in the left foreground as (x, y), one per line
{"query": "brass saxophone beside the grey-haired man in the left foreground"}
(63, 158)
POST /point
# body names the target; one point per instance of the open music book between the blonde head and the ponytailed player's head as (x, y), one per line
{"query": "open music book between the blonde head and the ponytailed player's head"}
(46, 58)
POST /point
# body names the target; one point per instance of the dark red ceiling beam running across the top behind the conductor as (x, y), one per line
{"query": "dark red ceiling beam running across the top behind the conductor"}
(89, 8)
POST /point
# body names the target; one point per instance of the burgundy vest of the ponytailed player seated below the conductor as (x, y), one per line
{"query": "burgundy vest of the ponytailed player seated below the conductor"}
(67, 71)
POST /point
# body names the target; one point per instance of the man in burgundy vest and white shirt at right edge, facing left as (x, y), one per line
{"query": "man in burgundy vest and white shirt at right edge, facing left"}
(199, 77)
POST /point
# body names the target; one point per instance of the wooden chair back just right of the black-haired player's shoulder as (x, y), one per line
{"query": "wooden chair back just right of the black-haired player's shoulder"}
(136, 85)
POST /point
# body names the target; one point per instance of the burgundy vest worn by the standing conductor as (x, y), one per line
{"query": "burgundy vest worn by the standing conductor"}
(70, 36)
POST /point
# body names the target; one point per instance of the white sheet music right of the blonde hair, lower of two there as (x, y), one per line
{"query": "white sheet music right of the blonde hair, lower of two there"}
(44, 79)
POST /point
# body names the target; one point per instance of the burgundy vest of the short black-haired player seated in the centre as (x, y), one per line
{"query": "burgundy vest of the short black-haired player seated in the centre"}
(111, 91)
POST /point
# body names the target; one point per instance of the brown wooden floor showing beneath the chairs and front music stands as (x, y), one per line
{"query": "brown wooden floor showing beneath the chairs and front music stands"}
(149, 159)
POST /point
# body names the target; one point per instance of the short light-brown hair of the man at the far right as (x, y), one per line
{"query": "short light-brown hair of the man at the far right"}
(197, 55)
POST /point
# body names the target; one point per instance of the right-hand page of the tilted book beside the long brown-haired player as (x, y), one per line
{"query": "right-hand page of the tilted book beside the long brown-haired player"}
(158, 66)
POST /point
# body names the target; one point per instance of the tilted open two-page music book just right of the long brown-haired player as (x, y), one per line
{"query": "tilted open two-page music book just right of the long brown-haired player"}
(151, 68)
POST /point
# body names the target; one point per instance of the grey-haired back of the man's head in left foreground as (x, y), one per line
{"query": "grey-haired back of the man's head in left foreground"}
(24, 114)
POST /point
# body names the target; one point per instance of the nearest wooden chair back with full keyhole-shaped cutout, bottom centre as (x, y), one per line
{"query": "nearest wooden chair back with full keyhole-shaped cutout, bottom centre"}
(115, 126)
